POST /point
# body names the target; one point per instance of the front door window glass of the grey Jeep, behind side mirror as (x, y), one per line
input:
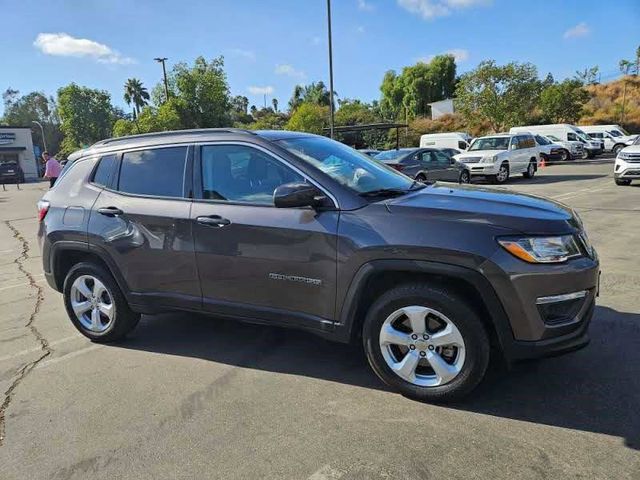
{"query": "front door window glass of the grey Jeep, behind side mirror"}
(238, 173)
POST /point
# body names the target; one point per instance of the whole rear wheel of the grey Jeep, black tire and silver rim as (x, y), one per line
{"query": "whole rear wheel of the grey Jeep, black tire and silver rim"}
(105, 297)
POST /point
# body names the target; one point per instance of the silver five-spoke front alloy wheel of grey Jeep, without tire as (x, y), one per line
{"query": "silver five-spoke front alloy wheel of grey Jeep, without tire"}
(422, 346)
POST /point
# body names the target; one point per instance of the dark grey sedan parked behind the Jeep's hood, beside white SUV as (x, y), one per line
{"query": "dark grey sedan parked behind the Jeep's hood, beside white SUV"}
(426, 164)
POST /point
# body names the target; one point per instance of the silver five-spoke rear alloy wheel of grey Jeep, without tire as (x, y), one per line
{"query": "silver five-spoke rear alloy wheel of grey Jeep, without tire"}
(92, 303)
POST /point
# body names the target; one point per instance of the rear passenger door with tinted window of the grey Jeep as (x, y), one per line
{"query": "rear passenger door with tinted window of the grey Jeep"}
(141, 222)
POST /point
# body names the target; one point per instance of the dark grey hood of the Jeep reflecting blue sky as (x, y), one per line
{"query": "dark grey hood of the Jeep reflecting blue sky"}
(520, 213)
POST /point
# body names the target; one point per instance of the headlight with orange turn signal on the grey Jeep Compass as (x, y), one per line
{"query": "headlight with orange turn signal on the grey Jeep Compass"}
(542, 249)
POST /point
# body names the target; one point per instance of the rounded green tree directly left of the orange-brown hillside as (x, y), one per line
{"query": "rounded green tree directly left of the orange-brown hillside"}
(563, 102)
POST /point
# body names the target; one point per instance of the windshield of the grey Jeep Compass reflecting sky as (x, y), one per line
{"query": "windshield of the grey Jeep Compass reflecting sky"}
(345, 165)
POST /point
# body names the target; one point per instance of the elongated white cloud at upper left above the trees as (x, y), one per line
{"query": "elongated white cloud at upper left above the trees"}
(64, 45)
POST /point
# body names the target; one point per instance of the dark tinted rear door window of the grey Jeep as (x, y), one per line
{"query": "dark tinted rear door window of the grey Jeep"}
(158, 172)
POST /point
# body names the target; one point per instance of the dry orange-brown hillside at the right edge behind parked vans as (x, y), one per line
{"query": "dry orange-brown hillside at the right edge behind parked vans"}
(605, 107)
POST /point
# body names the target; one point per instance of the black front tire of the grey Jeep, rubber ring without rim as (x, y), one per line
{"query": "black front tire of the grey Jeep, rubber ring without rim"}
(467, 322)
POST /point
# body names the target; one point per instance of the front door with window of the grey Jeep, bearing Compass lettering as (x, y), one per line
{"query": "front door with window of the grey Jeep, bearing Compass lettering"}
(254, 259)
